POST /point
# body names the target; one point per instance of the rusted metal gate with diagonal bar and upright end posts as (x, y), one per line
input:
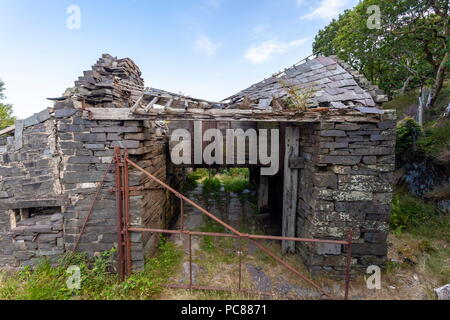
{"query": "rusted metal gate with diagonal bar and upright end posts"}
(124, 229)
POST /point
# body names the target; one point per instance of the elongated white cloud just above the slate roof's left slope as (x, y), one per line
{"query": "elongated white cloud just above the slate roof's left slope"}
(264, 51)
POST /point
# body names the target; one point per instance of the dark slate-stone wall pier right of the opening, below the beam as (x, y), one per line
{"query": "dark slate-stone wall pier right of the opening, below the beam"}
(346, 184)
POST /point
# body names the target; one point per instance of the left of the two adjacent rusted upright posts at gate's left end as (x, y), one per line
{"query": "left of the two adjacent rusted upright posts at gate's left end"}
(119, 205)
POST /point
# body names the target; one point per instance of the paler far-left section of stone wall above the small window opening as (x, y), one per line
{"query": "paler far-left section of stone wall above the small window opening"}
(28, 175)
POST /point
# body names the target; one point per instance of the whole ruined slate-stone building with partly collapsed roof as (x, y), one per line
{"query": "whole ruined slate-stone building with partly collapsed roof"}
(336, 162)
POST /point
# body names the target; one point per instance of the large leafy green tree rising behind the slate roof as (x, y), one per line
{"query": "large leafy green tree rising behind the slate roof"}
(409, 49)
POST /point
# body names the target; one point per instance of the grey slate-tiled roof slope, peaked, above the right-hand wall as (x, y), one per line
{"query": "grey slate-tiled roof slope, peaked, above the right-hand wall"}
(335, 85)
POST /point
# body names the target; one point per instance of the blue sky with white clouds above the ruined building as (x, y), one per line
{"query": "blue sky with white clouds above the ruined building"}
(204, 48)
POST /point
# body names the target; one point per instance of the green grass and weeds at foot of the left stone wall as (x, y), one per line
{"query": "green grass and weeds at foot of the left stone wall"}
(47, 282)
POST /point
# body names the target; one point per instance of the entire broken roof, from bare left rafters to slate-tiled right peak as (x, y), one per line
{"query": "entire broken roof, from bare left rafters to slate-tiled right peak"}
(321, 82)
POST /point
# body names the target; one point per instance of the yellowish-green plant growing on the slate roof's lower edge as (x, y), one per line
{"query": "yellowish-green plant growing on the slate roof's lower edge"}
(297, 96)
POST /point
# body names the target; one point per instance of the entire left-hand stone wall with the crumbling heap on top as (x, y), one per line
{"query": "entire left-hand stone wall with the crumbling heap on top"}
(58, 160)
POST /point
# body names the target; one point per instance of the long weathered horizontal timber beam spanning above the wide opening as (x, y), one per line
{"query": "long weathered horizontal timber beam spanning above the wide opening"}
(176, 114)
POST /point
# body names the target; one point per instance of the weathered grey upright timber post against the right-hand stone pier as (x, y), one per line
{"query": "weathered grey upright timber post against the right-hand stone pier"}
(290, 188)
